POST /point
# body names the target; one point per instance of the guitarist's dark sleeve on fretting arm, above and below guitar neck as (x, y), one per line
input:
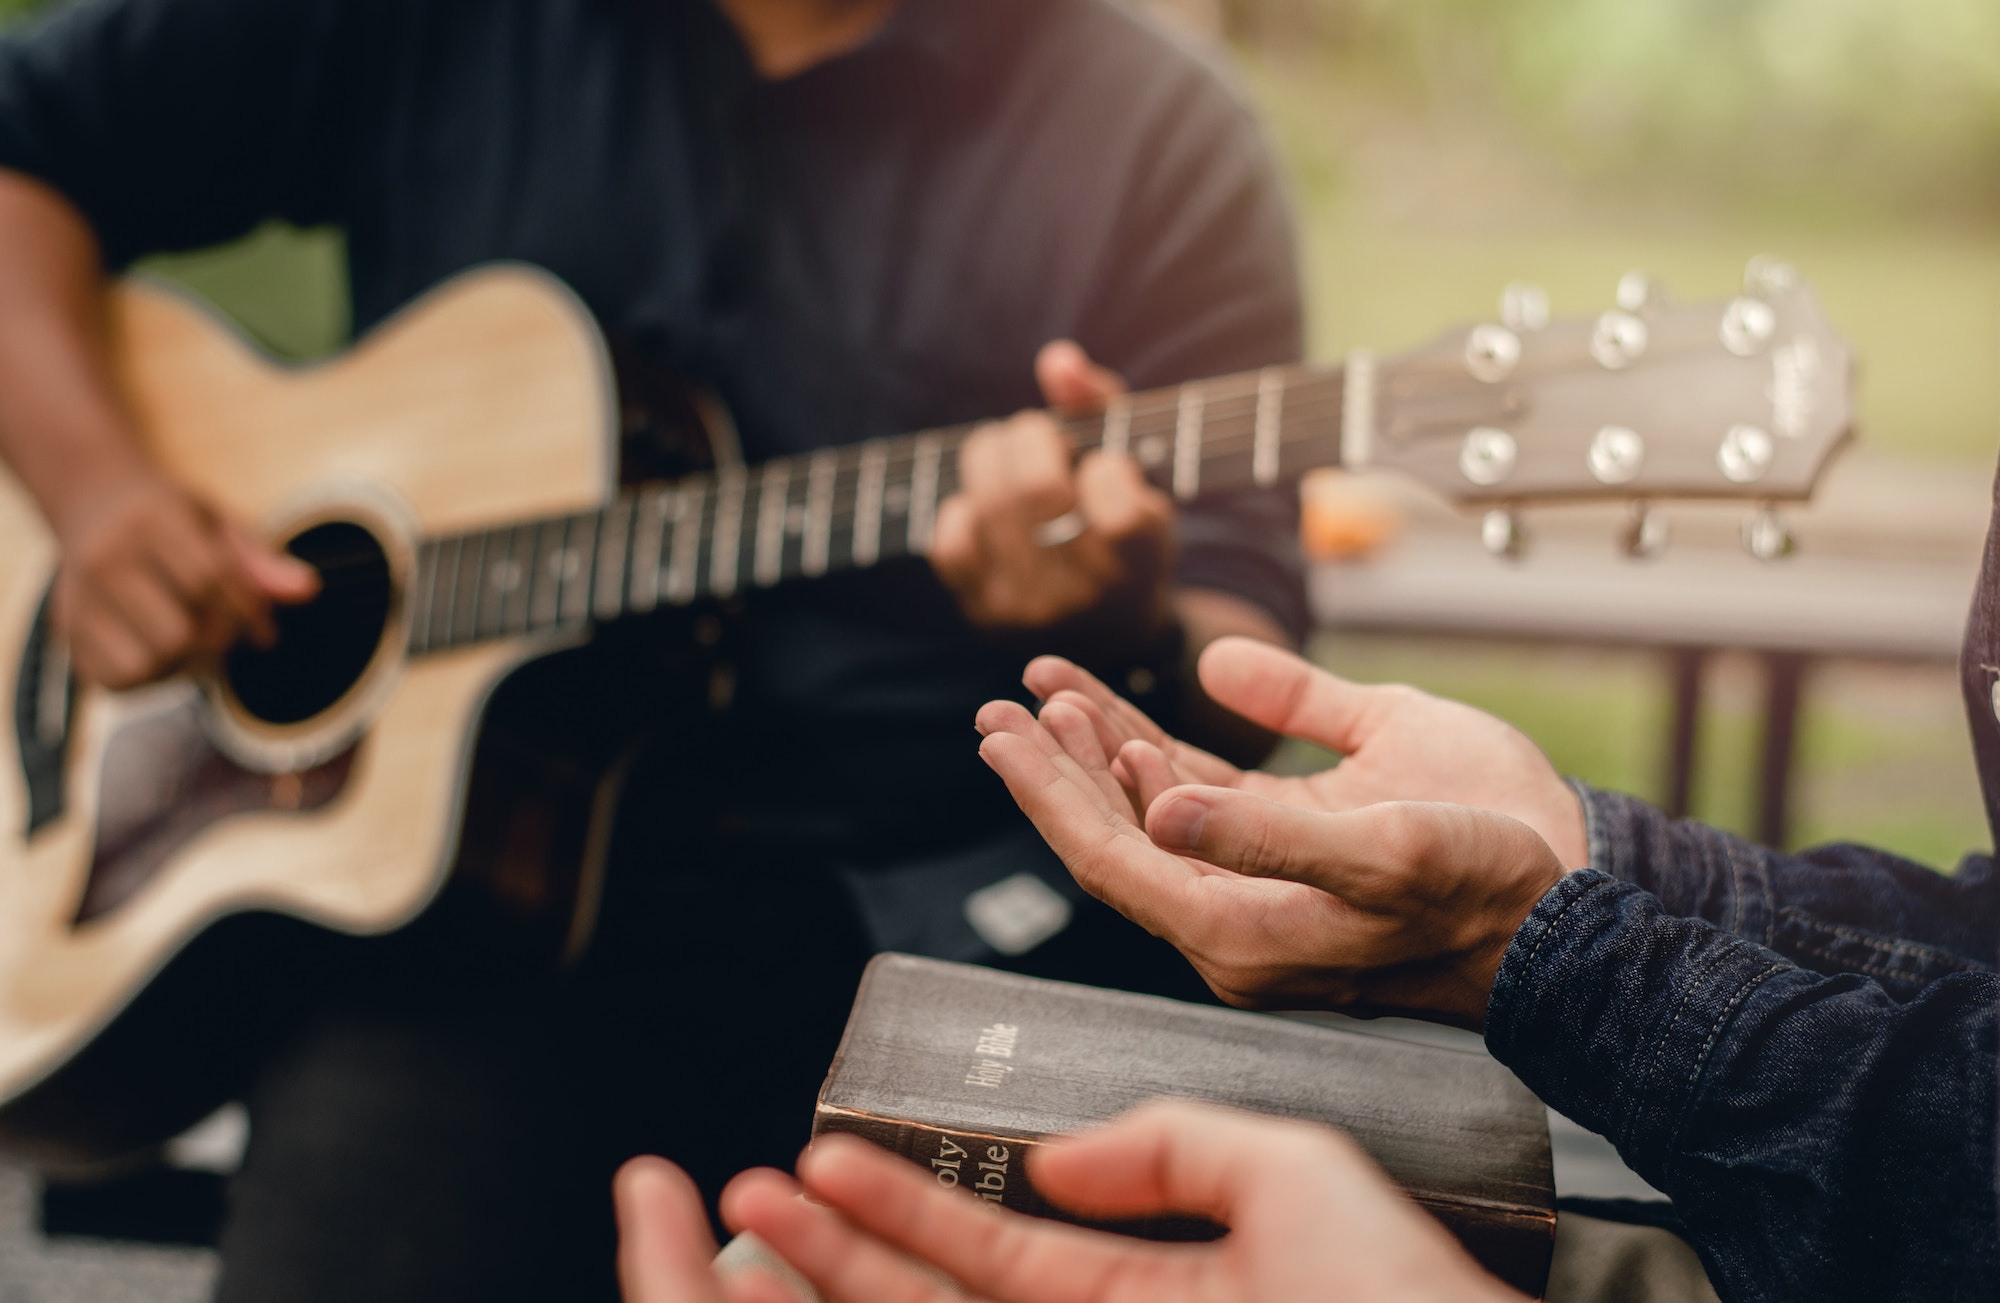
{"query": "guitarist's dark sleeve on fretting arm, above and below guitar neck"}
(1209, 287)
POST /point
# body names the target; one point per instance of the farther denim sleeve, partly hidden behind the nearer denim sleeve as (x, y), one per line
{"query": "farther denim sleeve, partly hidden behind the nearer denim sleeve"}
(1831, 910)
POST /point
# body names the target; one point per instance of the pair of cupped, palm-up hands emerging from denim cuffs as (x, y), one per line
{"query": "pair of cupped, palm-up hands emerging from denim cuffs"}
(1367, 888)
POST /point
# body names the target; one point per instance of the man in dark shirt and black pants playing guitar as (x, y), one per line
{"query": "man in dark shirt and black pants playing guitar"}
(847, 219)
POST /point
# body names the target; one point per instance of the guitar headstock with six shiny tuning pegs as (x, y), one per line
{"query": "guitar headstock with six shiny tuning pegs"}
(1745, 399)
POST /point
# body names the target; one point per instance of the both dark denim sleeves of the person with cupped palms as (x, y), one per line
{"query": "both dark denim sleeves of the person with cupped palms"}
(1825, 1132)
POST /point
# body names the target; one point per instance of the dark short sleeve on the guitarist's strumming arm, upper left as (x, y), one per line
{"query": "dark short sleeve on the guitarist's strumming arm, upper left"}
(183, 123)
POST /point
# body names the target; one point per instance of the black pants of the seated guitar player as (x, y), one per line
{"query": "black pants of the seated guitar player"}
(435, 1128)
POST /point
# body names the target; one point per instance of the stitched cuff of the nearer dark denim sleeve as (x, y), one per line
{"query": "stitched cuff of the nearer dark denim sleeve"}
(1609, 1010)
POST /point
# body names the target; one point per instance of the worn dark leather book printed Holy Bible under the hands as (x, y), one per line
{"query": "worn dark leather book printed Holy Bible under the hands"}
(963, 1070)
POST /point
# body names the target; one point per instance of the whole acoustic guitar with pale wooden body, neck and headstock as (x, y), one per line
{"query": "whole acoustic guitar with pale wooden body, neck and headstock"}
(455, 481)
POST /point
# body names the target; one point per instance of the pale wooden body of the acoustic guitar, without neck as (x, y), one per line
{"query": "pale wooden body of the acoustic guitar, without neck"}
(131, 824)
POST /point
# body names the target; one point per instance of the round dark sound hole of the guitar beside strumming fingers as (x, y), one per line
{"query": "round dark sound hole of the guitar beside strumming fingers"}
(325, 645)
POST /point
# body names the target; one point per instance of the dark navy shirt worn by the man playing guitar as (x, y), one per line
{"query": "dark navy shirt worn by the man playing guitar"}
(873, 247)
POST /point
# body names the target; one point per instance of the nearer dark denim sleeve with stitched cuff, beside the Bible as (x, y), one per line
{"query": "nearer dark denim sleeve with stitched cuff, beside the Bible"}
(1819, 1136)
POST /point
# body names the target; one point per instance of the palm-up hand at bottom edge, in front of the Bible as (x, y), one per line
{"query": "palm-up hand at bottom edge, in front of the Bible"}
(1311, 1218)
